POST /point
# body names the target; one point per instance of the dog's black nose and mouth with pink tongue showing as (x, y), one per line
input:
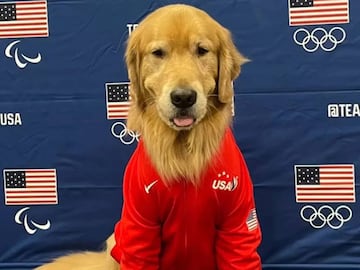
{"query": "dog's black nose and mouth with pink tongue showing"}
(183, 100)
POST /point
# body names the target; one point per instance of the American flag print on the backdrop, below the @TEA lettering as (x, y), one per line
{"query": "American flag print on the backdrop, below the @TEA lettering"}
(325, 183)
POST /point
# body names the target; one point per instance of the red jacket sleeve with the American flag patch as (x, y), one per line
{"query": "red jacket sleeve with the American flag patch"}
(239, 235)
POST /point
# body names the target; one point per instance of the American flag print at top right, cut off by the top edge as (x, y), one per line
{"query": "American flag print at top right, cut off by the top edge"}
(314, 12)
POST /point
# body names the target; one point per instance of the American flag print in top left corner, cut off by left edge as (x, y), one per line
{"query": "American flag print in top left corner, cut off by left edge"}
(23, 19)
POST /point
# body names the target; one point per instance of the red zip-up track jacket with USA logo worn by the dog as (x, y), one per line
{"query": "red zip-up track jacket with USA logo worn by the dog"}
(209, 227)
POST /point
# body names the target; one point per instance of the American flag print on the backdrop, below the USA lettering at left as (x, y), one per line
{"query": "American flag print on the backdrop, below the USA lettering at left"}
(30, 186)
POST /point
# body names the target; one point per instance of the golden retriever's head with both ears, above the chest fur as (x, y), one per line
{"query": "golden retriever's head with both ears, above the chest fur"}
(181, 64)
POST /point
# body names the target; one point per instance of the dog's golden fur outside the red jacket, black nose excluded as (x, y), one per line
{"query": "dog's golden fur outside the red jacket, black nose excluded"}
(177, 47)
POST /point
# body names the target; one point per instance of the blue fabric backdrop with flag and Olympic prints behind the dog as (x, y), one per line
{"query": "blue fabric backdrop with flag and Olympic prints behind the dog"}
(297, 110)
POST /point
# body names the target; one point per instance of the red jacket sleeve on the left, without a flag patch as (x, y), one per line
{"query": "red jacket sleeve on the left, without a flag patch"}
(137, 234)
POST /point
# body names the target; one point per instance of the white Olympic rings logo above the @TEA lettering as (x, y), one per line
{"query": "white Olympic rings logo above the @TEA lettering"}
(319, 37)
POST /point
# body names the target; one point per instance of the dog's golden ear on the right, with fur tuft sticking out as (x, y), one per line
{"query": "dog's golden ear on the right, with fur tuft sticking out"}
(230, 61)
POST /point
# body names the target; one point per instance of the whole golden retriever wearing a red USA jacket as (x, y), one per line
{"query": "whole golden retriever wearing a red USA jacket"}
(188, 197)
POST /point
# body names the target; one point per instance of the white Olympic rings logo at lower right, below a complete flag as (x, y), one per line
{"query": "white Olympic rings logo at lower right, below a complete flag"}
(326, 215)
